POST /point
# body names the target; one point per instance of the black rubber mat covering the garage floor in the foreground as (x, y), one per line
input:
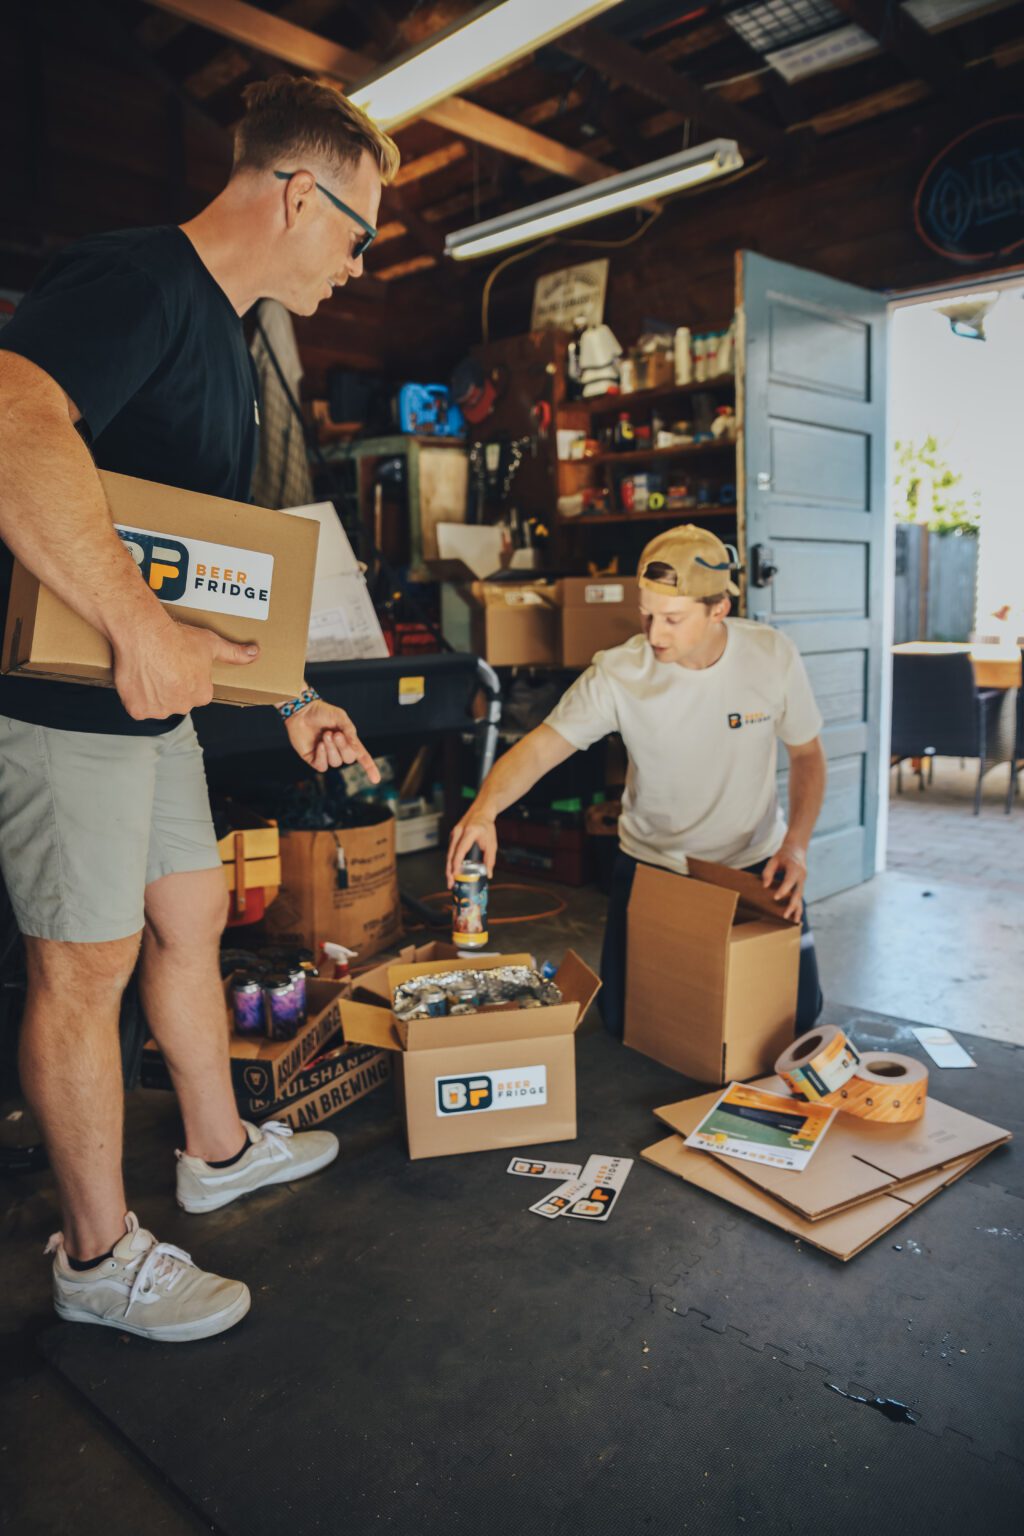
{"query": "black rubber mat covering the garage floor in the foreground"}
(426, 1356)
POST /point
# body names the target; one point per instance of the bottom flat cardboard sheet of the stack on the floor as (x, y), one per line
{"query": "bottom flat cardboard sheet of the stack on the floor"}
(845, 1234)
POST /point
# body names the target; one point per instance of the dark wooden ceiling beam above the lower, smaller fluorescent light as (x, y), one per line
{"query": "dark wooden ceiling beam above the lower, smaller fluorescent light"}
(652, 78)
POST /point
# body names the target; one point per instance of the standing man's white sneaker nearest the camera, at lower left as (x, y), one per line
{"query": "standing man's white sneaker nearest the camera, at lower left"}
(147, 1288)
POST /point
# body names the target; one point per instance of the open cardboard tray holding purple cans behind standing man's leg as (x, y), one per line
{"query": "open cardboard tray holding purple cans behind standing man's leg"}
(262, 1070)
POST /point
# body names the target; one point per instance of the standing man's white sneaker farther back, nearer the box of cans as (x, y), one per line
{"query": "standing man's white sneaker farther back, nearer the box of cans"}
(276, 1156)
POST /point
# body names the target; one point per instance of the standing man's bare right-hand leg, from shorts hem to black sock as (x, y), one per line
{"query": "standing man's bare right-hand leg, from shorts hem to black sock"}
(183, 999)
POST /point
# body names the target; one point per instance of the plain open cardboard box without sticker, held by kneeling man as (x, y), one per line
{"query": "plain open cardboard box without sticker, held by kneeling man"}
(712, 975)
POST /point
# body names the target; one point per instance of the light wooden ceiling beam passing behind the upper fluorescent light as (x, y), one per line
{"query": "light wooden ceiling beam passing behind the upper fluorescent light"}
(297, 45)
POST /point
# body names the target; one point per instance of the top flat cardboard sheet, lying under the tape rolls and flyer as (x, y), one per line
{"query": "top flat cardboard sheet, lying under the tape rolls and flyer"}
(857, 1160)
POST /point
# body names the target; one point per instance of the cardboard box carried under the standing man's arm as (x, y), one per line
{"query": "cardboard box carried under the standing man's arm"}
(240, 571)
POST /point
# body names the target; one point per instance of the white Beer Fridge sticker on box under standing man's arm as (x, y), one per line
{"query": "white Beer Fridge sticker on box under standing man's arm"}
(217, 578)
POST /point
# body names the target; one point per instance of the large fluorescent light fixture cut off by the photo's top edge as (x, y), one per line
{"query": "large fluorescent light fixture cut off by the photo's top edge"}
(471, 50)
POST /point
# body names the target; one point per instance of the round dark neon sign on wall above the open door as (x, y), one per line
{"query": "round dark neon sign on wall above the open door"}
(971, 202)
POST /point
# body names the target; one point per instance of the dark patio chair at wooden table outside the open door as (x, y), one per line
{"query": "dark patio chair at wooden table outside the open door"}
(937, 712)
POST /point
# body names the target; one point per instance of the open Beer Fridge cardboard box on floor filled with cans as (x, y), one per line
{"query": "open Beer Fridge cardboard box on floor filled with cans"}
(495, 1079)
